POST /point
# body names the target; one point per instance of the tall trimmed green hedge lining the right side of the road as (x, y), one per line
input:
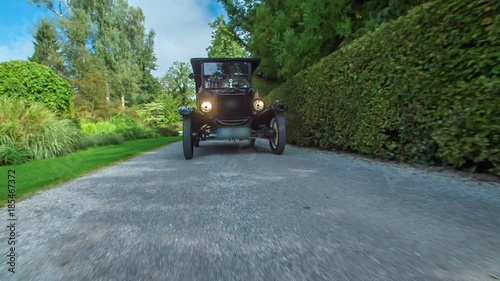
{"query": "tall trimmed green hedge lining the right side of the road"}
(423, 88)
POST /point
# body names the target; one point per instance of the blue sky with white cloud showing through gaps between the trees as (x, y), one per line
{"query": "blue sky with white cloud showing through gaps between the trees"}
(181, 27)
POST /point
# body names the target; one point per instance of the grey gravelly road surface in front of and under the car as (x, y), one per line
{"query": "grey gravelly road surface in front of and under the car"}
(239, 213)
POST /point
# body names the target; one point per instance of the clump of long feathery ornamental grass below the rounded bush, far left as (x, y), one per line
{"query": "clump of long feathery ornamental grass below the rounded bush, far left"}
(31, 131)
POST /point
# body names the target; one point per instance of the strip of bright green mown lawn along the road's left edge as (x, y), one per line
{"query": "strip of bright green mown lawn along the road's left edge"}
(38, 174)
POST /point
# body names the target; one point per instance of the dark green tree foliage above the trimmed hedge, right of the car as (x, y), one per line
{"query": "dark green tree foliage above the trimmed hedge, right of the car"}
(290, 35)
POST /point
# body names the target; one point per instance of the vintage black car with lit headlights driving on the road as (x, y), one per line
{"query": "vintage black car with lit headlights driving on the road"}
(228, 108)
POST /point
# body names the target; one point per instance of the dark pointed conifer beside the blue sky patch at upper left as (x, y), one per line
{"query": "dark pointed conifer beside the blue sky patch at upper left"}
(47, 47)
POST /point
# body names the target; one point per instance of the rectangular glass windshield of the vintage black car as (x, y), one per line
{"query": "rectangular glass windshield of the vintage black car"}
(234, 74)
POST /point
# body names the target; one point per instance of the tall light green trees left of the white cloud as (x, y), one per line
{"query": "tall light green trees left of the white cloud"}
(106, 39)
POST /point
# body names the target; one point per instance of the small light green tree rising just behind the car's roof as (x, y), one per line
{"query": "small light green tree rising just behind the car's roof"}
(224, 44)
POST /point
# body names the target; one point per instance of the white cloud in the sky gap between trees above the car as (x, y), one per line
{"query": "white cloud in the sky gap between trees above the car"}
(181, 27)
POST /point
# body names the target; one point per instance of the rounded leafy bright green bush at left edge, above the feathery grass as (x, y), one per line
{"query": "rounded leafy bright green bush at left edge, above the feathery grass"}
(36, 83)
